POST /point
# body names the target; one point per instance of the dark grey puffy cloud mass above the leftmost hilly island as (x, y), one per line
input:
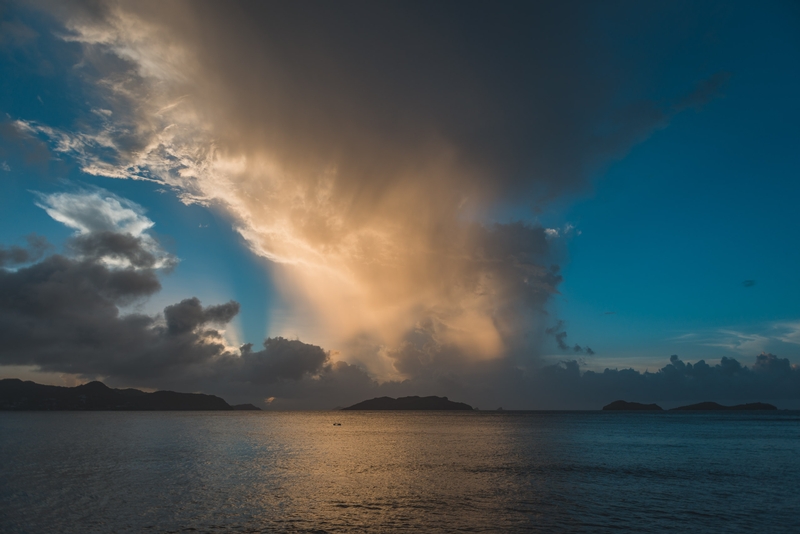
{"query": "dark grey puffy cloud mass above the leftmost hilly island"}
(63, 314)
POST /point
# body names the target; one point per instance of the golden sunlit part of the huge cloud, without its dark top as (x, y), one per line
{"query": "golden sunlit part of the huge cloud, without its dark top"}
(384, 248)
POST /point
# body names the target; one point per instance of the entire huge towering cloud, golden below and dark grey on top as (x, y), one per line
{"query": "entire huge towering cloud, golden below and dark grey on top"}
(368, 151)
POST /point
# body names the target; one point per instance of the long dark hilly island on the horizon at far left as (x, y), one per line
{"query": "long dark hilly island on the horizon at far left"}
(96, 396)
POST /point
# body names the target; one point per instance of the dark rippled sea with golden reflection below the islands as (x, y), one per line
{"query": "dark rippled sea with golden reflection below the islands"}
(399, 472)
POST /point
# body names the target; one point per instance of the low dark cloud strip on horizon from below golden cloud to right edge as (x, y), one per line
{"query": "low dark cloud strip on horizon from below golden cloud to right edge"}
(563, 385)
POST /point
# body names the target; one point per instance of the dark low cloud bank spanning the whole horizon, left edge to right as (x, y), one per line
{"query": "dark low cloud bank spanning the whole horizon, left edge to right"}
(63, 314)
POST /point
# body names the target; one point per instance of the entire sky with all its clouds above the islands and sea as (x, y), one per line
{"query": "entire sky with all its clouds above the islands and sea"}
(546, 205)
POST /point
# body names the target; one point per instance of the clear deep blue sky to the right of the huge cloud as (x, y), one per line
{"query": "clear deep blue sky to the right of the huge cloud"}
(670, 232)
